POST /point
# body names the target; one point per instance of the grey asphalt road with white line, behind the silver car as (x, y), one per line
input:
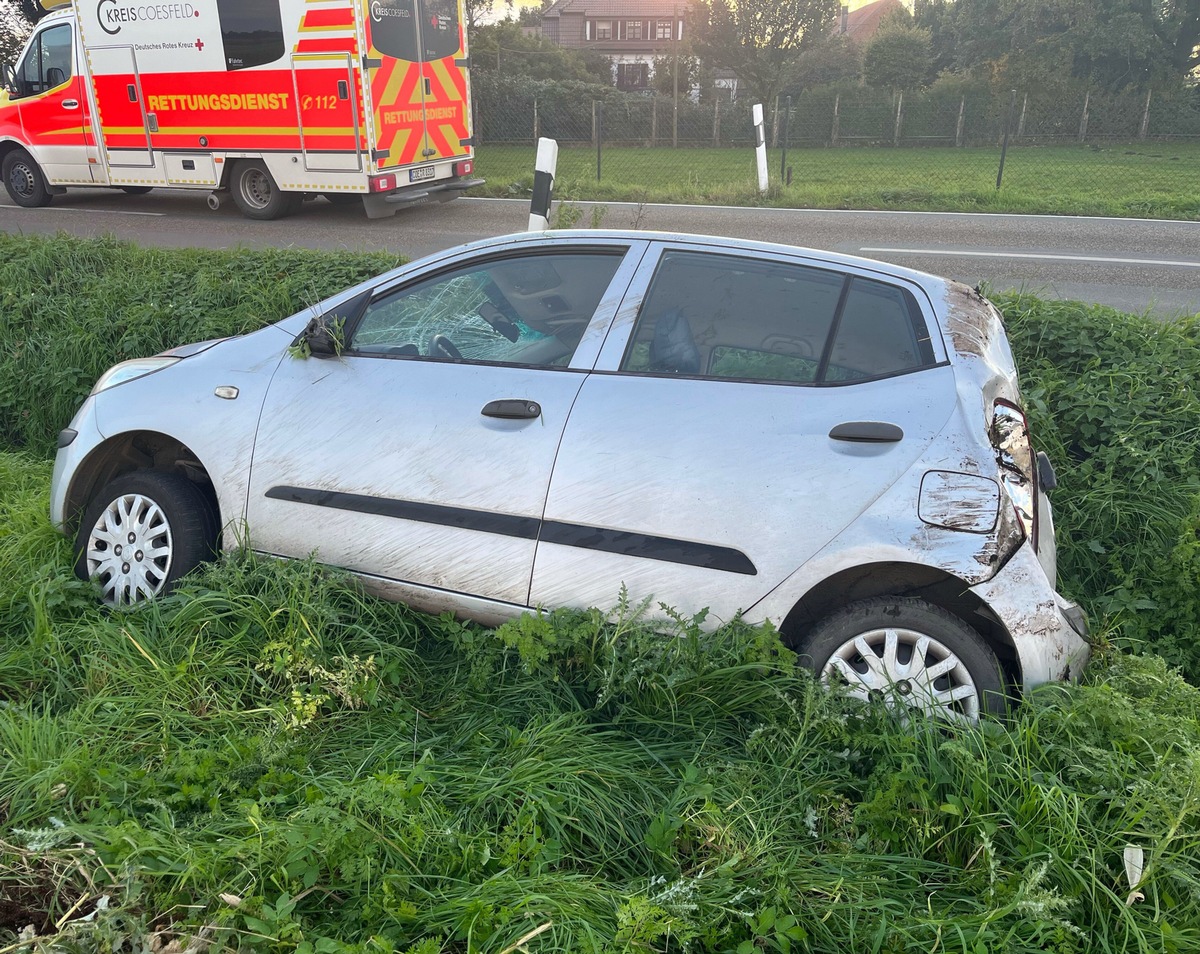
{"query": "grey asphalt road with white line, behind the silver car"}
(1133, 265)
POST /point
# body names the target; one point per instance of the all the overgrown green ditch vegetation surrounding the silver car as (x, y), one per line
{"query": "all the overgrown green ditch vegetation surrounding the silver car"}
(273, 761)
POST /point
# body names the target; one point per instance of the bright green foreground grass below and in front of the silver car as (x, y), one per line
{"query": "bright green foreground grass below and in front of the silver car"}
(274, 761)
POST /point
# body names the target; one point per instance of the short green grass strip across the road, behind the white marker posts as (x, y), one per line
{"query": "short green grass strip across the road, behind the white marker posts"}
(1144, 179)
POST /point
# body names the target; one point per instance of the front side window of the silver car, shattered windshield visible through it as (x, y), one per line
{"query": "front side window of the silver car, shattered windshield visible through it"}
(529, 310)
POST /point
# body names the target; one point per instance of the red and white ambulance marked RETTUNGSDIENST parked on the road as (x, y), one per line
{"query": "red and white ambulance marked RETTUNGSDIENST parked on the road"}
(266, 100)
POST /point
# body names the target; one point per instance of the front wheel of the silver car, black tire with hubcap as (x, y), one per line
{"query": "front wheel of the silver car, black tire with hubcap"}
(166, 519)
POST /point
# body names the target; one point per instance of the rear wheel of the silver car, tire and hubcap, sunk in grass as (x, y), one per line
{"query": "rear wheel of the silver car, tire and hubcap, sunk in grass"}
(889, 647)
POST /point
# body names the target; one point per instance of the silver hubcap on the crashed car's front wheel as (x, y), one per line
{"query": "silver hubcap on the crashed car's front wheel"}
(129, 550)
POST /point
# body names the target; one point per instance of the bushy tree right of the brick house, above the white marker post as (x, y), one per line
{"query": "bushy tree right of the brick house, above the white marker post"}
(760, 40)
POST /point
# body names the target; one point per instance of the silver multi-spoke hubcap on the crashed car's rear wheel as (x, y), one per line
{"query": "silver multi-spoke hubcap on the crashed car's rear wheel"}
(903, 668)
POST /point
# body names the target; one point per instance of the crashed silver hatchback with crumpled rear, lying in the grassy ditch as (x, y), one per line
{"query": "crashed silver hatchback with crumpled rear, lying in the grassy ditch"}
(831, 443)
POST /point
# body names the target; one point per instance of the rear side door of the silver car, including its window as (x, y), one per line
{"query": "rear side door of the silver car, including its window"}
(743, 412)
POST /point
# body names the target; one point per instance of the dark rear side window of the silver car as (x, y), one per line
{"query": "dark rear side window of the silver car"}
(722, 316)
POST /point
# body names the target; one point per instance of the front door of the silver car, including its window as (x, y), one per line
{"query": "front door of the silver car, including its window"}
(423, 454)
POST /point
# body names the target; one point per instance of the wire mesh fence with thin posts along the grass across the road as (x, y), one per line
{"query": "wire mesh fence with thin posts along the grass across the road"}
(1135, 153)
